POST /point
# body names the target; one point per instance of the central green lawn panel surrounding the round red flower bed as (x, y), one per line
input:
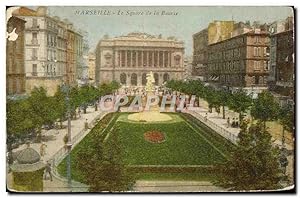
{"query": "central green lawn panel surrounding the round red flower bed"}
(183, 145)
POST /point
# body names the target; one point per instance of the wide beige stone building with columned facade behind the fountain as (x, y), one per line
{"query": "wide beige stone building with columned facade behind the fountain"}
(127, 59)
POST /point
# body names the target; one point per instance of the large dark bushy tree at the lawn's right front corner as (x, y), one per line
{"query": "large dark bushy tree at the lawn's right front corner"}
(254, 163)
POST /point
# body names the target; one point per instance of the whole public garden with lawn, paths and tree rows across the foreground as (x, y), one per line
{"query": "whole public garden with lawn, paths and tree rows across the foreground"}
(120, 152)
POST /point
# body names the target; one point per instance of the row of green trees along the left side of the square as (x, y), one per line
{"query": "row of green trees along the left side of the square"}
(29, 114)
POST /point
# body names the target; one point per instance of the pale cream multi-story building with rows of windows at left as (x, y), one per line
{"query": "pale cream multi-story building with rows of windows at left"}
(41, 65)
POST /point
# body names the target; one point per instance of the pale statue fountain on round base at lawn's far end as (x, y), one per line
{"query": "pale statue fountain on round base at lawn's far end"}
(153, 114)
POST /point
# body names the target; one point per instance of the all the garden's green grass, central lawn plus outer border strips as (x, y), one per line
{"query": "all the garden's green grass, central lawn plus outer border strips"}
(187, 143)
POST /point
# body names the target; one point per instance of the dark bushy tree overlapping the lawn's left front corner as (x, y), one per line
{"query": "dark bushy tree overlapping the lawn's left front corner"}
(102, 165)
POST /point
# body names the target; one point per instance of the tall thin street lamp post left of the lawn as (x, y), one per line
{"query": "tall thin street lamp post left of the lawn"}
(65, 89)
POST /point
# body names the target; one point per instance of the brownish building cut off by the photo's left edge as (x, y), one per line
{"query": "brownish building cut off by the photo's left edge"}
(15, 73)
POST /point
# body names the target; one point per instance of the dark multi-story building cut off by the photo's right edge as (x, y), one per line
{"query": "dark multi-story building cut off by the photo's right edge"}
(282, 75)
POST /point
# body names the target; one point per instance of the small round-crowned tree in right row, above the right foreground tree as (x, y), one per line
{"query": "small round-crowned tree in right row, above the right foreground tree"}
(265, 108)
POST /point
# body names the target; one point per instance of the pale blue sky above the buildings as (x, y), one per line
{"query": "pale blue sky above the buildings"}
(188, 21)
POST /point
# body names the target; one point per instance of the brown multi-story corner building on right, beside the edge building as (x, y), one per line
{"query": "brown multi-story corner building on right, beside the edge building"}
(241, 61)
